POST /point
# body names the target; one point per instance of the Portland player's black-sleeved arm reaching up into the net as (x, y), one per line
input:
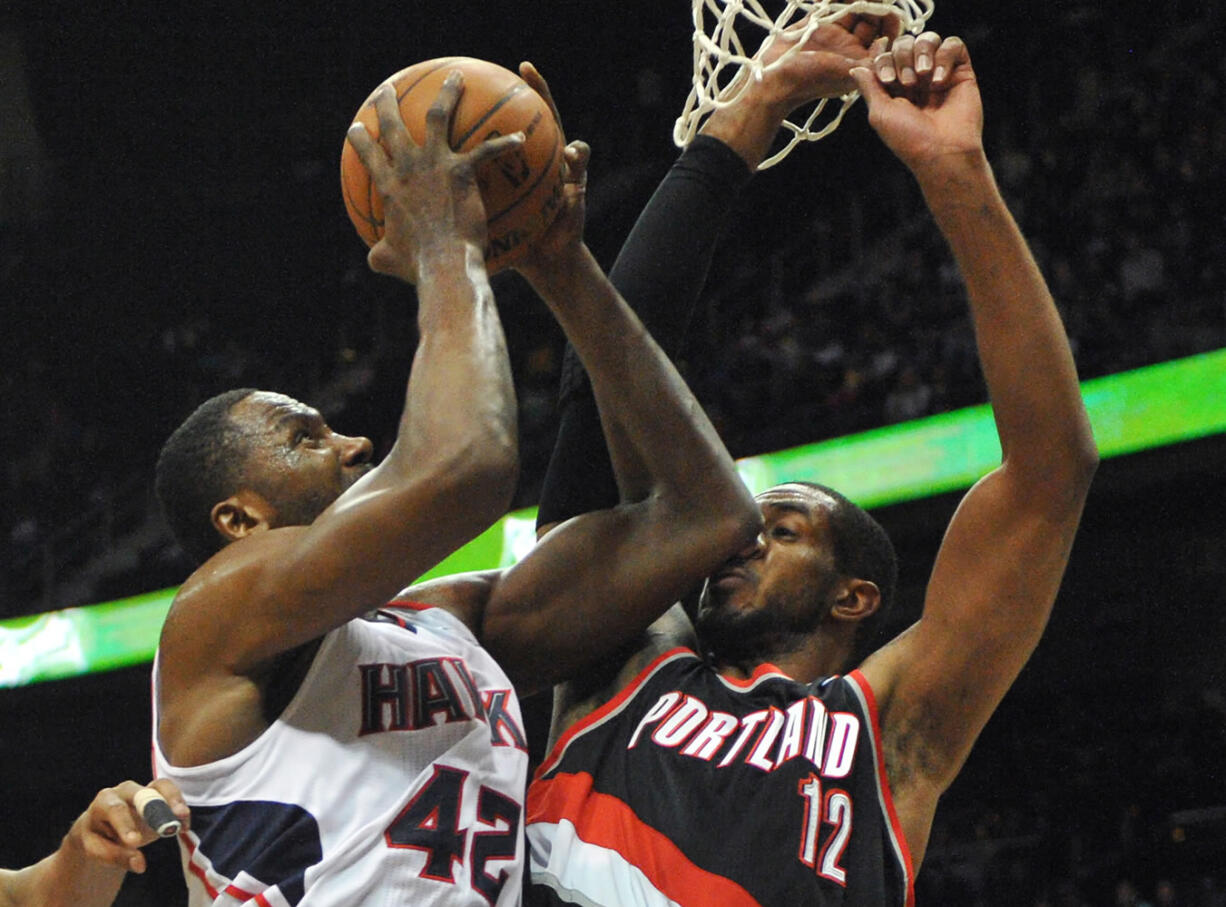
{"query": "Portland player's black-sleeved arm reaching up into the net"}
(664, 263)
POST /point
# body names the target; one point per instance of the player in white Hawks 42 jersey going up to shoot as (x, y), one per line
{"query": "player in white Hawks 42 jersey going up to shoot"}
(340, 751)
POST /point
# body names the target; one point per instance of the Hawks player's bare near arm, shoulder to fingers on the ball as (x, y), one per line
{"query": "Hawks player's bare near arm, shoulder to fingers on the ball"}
(449, 475)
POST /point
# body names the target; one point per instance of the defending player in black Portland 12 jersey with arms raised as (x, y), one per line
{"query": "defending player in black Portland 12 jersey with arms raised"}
(742, 764)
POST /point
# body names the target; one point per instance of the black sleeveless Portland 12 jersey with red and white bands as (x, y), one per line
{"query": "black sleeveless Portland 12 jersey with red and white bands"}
(691, 789)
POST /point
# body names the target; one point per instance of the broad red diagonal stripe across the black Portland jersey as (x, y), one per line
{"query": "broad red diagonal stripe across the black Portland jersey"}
(606, 822)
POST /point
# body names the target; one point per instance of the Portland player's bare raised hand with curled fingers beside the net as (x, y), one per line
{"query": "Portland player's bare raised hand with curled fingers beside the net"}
(924, 101)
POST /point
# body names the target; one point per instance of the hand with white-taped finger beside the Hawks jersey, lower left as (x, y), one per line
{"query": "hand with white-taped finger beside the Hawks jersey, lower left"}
(112, 830)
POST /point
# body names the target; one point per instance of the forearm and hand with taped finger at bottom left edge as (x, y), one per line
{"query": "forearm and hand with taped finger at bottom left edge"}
(102, 846)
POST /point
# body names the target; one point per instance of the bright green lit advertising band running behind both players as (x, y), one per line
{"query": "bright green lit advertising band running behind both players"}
(1133, 411)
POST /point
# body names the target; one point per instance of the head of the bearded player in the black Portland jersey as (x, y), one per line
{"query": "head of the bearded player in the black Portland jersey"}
(820, 561)
